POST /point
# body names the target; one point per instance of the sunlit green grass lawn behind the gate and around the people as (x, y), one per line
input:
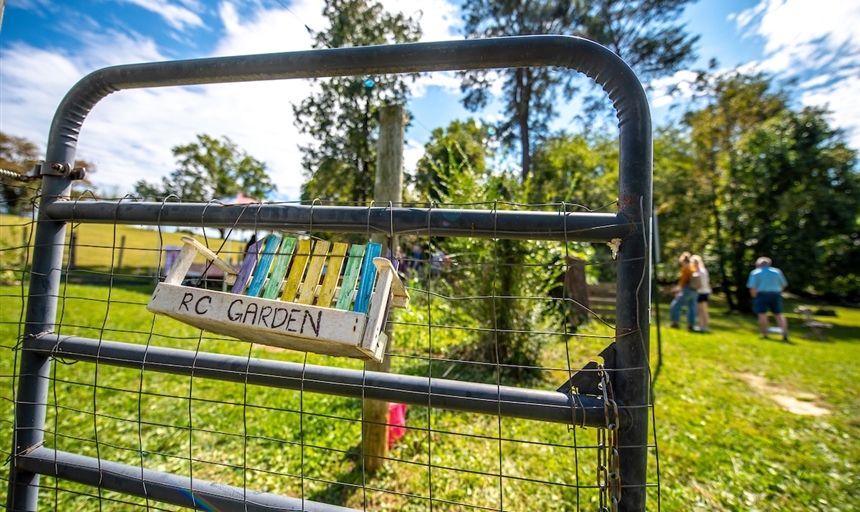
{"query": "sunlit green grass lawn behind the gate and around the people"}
(723, 443)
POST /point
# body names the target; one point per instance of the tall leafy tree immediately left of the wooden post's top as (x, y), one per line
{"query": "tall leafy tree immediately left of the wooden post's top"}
(343, 117)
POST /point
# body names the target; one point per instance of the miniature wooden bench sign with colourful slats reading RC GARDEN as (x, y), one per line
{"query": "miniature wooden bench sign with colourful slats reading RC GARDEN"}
(300, 294)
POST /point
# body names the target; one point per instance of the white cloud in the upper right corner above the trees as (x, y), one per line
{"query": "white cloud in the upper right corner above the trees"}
(817, 45)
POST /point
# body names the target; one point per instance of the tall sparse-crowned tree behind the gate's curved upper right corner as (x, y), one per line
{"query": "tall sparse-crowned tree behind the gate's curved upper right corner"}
(642, 32)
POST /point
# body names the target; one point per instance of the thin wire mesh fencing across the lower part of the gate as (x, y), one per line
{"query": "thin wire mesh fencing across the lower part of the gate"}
(185, 417)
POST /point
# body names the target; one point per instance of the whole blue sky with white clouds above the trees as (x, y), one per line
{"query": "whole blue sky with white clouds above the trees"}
(47, 45)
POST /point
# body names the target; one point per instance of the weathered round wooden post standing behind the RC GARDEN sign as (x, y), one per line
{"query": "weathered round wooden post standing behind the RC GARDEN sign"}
(388, 187)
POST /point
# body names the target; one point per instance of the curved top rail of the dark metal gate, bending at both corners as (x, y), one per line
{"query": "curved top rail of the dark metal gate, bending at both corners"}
(588, 57)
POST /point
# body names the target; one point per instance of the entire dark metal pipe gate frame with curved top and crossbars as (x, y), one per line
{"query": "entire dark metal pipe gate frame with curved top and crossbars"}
(629, 373)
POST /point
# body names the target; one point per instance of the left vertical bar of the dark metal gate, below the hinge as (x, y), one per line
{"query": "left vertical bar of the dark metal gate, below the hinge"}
(32, 393)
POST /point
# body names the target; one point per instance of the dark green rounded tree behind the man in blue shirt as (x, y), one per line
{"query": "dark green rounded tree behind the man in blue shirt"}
(797, 191)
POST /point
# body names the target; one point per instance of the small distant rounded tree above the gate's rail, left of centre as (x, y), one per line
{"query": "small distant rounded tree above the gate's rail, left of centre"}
(209, 169)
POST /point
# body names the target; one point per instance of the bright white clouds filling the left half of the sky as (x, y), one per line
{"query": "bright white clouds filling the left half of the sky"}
(129, 134)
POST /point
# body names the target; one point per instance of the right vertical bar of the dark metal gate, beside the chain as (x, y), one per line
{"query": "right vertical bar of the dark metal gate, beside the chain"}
(631, 378)
